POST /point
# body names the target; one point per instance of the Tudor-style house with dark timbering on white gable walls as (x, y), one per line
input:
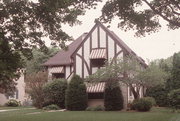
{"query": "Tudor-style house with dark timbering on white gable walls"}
(86, 55)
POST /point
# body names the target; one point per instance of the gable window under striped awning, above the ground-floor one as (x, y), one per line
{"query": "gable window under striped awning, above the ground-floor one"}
(98, 57)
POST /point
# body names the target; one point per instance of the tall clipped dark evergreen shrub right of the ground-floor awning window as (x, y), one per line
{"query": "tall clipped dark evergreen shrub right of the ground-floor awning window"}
(113, 99)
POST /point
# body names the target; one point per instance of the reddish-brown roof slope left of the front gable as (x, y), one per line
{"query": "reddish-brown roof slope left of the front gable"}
(63, 57)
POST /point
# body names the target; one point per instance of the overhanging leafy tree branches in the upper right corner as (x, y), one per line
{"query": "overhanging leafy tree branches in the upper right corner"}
(142, 15)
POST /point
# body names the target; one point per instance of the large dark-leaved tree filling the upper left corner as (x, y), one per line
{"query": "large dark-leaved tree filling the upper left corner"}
(24, 23)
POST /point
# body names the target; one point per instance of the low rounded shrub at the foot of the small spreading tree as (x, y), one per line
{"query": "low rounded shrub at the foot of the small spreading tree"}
(142, 104)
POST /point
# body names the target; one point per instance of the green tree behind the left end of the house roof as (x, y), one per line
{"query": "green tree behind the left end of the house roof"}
(38, 58)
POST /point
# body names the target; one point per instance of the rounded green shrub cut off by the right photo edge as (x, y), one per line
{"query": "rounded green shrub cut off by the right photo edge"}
(174, 99)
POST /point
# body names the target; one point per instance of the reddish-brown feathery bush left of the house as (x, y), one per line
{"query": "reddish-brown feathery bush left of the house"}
(34, 87)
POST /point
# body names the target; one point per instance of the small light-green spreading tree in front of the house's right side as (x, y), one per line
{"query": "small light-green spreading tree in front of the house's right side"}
(130, 72)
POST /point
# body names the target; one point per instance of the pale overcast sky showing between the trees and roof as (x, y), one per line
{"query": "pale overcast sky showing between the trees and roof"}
(155, 46)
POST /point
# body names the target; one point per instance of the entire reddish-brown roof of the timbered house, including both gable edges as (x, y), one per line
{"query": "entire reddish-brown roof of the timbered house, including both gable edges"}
(64, 57)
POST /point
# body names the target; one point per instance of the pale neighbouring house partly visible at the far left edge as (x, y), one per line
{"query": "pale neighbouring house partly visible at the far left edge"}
(19, 94)
